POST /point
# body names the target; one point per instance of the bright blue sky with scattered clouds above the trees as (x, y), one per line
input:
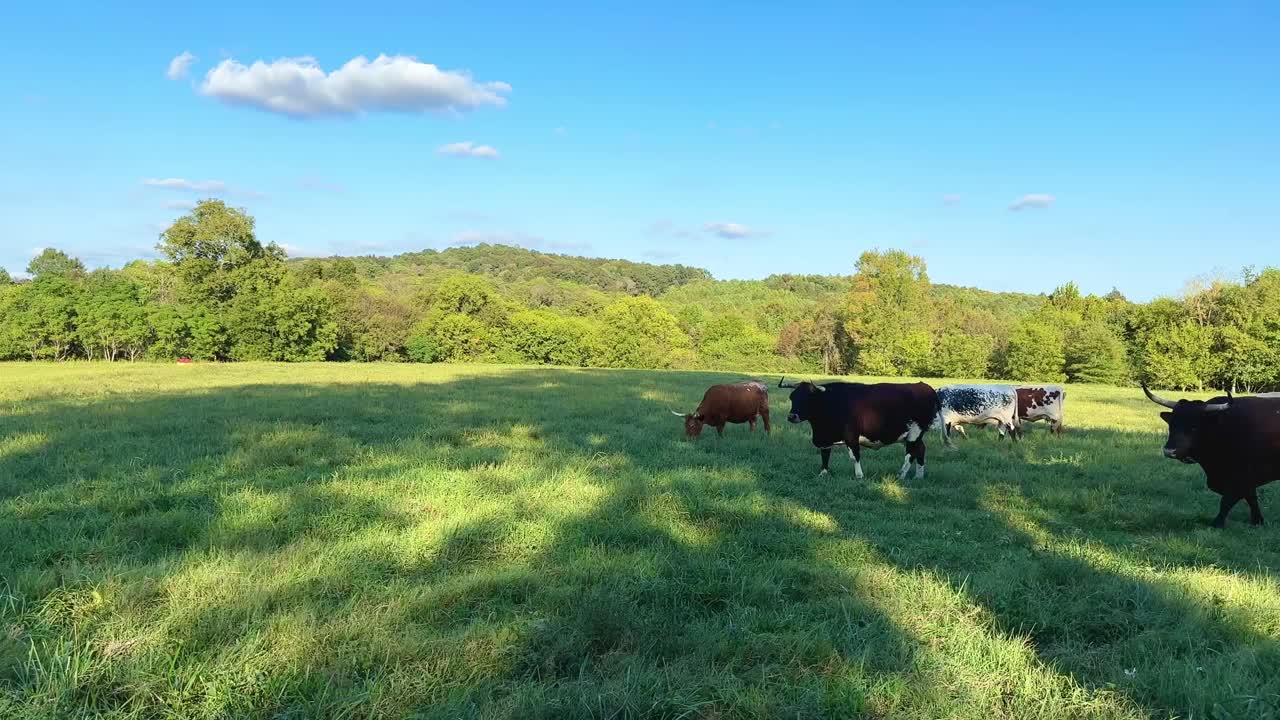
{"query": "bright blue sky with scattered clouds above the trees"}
(747, 139)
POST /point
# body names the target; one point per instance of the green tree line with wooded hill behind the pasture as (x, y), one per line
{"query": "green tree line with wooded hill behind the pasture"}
(220, 294)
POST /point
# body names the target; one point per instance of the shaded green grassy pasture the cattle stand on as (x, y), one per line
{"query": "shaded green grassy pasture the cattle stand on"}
(382, 541)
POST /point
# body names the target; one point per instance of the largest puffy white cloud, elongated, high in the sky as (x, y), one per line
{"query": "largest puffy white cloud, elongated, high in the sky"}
(300, 88)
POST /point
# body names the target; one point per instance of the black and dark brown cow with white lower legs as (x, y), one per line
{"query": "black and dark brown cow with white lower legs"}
(866, 416)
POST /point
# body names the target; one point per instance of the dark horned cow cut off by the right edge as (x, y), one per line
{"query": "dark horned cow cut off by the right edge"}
(1235, 440)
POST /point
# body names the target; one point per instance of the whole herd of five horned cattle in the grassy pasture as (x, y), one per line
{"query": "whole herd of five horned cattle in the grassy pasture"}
(1235, 440)
